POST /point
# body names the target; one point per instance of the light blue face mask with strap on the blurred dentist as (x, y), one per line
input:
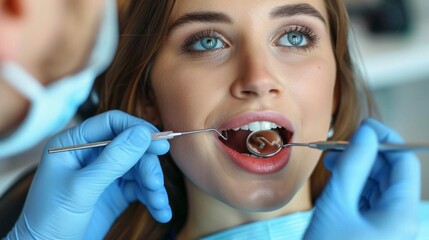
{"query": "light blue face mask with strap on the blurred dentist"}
(54, 106)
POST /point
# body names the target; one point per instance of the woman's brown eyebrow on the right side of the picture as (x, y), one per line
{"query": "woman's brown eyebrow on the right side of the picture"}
(297, 9)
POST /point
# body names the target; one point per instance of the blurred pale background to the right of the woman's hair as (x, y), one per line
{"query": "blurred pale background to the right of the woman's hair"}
(396, 67)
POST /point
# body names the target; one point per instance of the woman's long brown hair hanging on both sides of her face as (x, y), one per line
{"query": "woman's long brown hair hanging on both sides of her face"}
(126, 86)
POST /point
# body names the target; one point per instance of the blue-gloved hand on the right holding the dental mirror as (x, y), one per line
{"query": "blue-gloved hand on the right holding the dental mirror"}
(370, 195)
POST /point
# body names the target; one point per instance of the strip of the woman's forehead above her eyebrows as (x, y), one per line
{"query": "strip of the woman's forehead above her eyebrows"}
(241, 8)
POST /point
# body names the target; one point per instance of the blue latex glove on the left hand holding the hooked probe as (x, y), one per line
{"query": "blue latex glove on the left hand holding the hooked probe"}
(79, 194)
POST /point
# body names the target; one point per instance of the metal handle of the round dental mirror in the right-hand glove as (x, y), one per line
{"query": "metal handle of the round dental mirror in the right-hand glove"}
(341, 145)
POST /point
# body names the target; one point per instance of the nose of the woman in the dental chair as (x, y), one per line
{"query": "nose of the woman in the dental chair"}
(255, 78)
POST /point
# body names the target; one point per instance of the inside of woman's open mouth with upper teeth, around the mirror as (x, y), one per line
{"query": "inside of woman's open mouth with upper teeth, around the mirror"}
(237, 137)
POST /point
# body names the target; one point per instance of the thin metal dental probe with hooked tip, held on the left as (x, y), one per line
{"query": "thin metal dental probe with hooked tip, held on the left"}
(155, 136)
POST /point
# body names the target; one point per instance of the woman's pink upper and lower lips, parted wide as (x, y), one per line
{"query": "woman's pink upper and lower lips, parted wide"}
(254, 165)
